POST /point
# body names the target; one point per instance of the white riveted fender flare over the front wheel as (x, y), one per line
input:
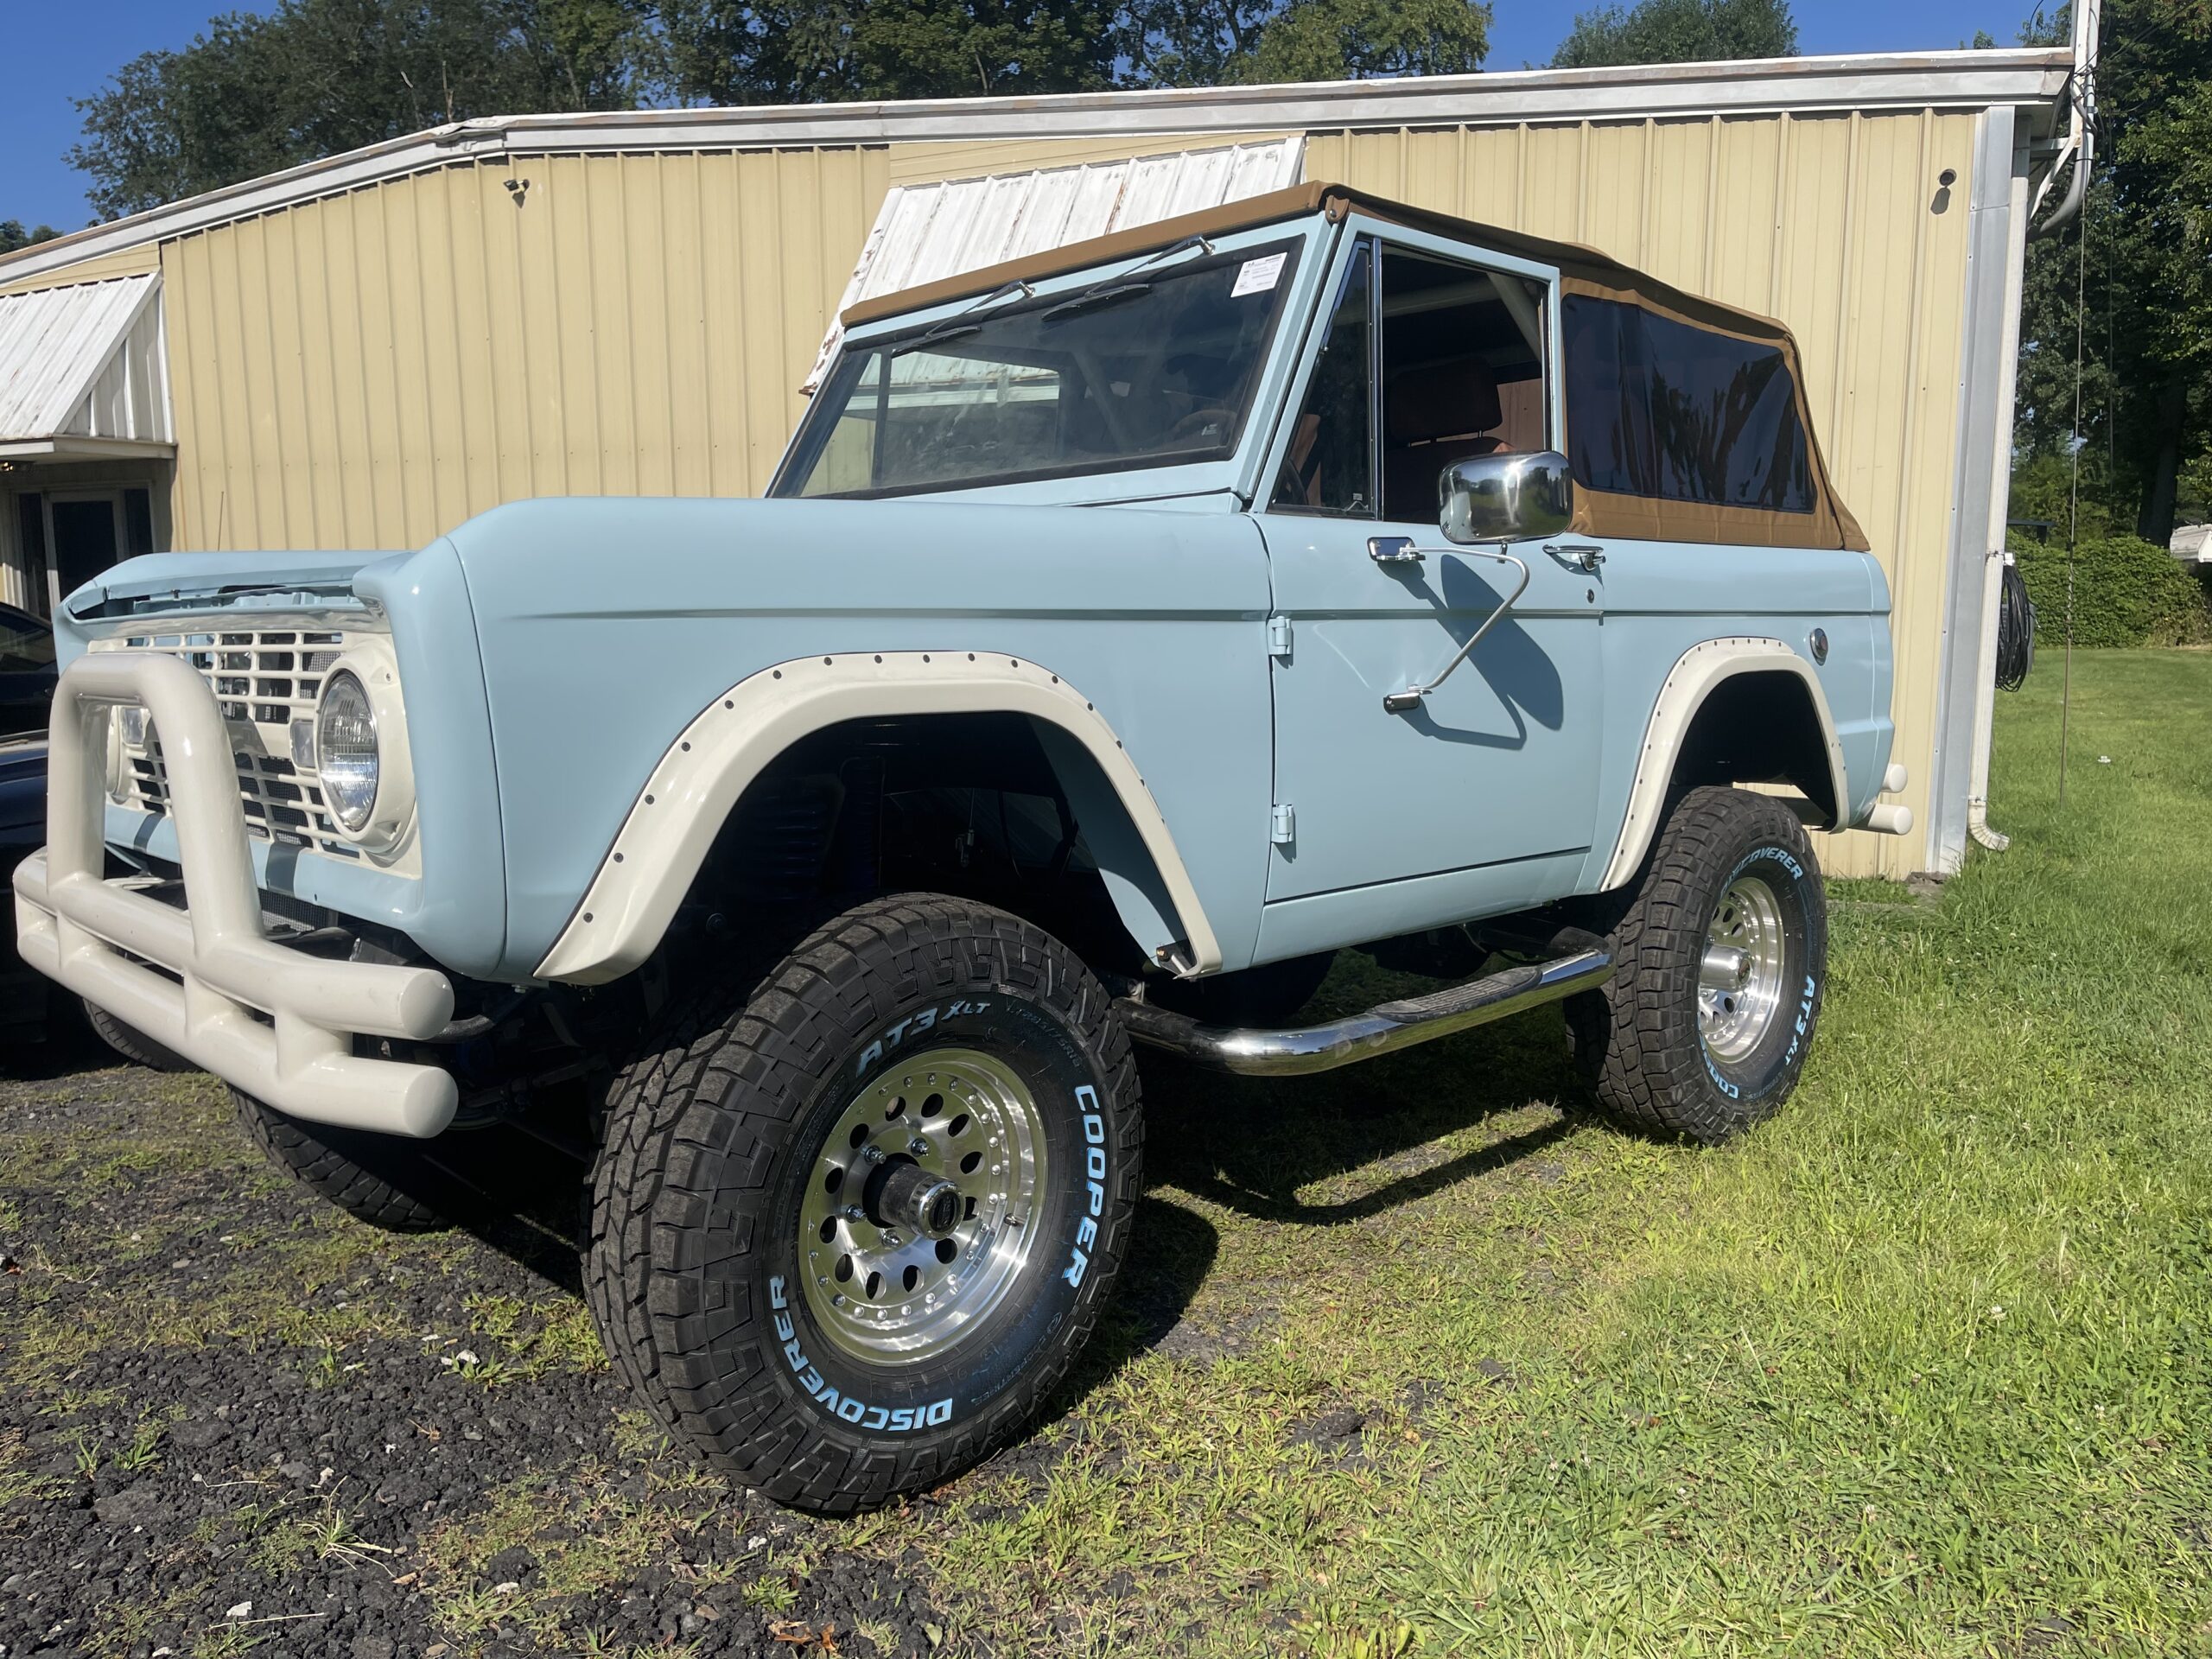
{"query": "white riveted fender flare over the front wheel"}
(716, 760)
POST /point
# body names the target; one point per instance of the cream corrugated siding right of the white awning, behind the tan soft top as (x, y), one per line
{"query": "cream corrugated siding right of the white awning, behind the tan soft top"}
(1833, 225)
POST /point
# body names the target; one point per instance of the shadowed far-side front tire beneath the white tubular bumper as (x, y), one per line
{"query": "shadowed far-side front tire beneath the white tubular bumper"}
(393, 1182)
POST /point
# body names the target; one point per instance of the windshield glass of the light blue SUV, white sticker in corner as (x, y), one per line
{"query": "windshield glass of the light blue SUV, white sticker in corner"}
(1140, 371)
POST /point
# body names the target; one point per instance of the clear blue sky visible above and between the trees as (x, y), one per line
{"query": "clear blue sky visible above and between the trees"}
(63, 52)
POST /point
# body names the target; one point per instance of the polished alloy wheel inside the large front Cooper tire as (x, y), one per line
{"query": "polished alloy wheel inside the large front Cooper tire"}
(919, 1207)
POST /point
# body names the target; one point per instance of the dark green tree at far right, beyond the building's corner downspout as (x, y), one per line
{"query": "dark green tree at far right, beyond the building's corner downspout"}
(2147, 324)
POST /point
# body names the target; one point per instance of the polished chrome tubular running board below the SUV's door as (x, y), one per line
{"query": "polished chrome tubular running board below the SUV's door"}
(1364, 1036)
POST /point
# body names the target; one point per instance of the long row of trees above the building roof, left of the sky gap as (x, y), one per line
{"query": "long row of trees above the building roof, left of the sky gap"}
(255, 94)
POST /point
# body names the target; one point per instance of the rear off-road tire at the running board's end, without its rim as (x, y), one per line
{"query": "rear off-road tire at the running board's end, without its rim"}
(1638, 1041)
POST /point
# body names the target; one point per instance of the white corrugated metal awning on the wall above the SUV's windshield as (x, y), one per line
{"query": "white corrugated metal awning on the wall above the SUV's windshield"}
(932, 231)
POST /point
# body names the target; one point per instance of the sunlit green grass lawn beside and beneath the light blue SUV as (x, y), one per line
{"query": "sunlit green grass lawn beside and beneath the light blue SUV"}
(1919, 1368)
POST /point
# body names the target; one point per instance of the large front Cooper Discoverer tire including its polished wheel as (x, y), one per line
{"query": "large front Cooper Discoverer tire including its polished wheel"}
(853, 1224)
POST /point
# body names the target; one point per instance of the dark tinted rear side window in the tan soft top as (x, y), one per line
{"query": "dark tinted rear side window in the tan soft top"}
(1680, 413)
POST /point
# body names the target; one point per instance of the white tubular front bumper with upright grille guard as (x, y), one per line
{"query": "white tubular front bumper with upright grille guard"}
(209, 981)
